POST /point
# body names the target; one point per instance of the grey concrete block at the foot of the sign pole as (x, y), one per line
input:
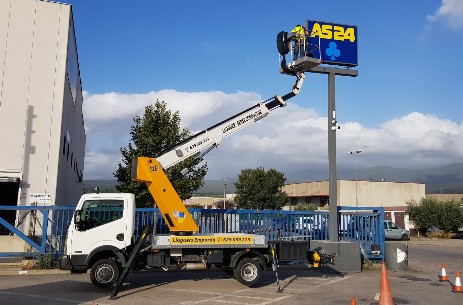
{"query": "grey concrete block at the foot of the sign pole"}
(346, 254)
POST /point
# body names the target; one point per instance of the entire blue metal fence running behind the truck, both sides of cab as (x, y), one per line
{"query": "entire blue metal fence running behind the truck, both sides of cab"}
(362, 225)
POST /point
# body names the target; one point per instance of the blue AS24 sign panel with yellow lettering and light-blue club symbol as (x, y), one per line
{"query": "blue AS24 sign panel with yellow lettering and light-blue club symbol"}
(338, 43)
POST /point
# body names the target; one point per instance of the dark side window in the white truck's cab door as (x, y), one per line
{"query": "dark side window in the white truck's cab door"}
(99, 212)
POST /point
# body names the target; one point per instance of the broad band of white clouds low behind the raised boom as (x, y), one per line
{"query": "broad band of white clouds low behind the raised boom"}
(291, 139)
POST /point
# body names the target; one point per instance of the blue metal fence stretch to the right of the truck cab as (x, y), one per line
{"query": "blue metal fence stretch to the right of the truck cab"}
(362, 225)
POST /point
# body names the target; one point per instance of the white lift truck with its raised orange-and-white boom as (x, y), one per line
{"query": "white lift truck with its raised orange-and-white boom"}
(101, 233)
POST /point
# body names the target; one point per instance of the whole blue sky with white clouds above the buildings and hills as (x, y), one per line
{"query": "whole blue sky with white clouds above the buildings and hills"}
(209, 60)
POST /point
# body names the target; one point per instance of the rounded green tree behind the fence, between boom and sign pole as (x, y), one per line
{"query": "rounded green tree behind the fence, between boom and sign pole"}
(258, 189)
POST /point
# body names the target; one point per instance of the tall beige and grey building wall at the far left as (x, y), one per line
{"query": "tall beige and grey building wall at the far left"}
(37, 108)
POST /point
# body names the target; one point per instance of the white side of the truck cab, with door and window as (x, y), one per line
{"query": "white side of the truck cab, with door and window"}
(102, 222)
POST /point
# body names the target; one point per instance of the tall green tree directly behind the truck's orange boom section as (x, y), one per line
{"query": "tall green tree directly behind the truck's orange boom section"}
(157, 131)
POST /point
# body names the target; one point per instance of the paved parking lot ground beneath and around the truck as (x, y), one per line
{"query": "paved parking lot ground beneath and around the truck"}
(418, 285)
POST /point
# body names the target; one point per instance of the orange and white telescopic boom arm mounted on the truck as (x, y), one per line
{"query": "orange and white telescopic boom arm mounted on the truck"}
(150, 170)
